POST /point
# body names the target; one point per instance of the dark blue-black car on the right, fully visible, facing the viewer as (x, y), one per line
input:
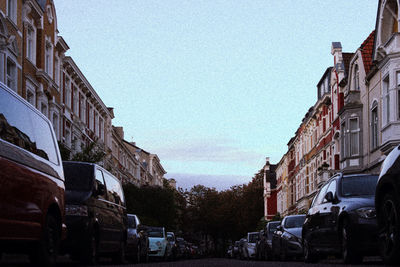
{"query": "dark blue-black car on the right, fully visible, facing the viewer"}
(342, 219)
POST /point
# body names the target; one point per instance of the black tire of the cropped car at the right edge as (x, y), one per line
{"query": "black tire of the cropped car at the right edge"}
(389, 232)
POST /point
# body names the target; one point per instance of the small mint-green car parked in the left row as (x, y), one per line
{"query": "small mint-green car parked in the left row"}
(158, 243)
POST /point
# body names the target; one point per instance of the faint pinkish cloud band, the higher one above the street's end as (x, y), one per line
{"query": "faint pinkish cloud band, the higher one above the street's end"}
(209, 150)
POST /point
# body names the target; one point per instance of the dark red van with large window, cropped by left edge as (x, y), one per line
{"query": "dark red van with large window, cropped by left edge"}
(32, 218)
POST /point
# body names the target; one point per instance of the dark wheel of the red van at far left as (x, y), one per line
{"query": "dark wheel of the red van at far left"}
(45, 254)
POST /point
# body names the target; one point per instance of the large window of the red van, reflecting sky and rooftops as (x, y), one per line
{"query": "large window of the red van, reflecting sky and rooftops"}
(23, 127)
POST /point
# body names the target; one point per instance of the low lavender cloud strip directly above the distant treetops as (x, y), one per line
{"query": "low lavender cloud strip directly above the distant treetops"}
(219, 182)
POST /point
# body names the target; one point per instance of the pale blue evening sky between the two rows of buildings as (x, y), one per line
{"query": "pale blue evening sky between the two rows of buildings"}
(212, 87)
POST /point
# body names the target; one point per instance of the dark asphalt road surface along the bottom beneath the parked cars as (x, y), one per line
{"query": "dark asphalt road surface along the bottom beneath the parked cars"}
(22, 261)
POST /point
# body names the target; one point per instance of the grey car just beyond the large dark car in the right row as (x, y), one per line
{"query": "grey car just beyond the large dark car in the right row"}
(286, 240)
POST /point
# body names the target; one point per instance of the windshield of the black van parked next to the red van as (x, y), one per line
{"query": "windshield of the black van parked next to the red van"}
(78, 177)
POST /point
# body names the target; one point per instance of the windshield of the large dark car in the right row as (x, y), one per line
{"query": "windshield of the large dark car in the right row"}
(359, 185)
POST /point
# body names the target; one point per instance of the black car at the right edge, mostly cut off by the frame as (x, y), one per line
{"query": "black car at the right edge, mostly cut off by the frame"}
(387, 201)
